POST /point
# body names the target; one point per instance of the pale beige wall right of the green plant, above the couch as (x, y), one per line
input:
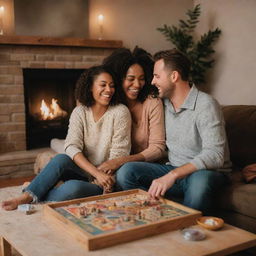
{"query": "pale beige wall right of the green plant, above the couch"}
(232, 80)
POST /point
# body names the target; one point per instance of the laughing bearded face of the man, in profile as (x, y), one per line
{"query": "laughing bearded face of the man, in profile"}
(162, 79)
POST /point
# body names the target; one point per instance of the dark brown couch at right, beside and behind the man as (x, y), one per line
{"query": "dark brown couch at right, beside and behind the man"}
(237, 202)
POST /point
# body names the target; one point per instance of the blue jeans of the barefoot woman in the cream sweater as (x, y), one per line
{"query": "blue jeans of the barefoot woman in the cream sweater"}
(61, 168)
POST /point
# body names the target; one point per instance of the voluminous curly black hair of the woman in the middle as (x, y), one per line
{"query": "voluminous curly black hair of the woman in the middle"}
(122, 59)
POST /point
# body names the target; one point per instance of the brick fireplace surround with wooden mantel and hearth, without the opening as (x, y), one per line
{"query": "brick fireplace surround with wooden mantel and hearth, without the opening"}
(16, 53)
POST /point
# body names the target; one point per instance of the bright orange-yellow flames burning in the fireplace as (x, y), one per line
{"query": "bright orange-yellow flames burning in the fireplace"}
(52, 112)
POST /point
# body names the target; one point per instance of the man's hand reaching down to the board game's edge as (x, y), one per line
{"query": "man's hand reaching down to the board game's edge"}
(161, 185)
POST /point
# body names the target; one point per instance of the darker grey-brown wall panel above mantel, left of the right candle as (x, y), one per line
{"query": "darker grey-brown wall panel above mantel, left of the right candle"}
(58, 18)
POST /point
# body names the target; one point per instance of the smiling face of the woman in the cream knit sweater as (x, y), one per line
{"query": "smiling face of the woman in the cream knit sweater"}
(103, 89)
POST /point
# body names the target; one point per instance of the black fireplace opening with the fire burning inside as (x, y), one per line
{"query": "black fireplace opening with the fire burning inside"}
(49, 101)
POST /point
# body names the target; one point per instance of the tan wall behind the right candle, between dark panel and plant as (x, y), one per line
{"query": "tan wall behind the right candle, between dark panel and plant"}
(135, 21)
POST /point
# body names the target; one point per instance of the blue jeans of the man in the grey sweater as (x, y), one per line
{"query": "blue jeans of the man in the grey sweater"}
(198, 189)
